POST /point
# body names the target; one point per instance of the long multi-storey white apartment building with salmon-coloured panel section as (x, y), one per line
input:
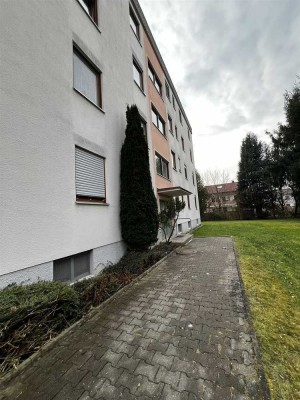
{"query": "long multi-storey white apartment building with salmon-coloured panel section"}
(68, 71)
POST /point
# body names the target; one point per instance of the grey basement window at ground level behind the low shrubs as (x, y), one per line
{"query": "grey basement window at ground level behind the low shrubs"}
(69, 269)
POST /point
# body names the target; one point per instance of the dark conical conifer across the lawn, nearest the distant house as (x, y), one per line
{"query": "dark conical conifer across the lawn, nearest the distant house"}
(253, 189)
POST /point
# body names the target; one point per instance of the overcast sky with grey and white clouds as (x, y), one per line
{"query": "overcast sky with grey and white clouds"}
(231, 62)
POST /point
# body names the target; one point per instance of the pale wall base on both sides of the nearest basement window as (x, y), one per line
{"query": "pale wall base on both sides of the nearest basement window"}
(101, 257)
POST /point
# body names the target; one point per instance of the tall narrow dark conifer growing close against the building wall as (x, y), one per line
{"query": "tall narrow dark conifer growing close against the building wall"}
(139, 214)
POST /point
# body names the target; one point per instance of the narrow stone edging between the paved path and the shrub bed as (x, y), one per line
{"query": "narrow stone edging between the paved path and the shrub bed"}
(48, 345)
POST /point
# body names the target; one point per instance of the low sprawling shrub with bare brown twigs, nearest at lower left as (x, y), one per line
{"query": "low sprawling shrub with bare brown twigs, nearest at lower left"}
(31, 315)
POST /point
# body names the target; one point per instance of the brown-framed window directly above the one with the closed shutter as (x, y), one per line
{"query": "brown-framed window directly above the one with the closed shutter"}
(86, 78)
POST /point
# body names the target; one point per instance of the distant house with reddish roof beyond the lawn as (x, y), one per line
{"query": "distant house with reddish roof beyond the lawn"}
(222, 197)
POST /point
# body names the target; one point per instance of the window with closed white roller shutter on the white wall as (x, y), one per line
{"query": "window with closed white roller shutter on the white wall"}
(89, 176)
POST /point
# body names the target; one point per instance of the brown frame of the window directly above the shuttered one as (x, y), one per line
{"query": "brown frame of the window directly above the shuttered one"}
(86, 60)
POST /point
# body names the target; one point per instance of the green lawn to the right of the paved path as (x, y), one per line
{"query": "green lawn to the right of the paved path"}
(269, 255)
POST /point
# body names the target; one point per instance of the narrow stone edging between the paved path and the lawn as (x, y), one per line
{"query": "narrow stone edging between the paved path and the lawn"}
(264, 384)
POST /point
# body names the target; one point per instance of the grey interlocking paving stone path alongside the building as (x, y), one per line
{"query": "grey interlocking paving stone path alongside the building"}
(180, 333)
